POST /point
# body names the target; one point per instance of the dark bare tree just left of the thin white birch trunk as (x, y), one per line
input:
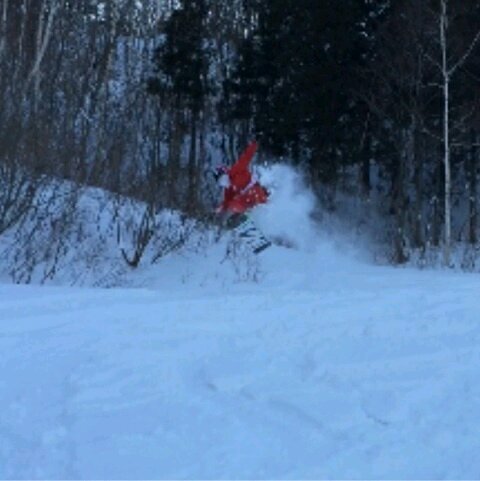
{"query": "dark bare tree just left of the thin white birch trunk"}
(397, 92)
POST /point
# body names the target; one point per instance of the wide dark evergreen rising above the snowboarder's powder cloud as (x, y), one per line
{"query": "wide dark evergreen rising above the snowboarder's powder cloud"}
(295, 77)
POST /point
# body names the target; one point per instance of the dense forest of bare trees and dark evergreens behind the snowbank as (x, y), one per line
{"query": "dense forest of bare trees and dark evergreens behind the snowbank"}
(377, 99)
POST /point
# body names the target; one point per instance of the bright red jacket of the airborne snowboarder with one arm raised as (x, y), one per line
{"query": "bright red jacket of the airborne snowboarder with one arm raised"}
(242, 193)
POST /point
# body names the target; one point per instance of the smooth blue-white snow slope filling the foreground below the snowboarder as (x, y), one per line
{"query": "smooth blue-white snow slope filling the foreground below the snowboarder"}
(360, 372)
